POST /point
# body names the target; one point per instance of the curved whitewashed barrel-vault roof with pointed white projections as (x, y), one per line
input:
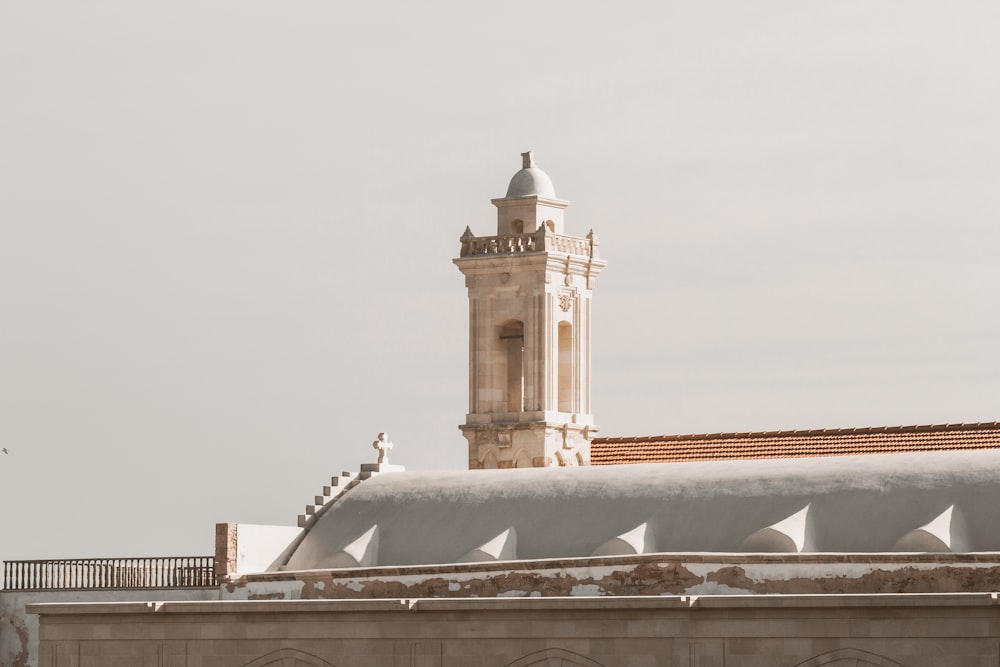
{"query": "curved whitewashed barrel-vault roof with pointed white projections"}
(835, 504)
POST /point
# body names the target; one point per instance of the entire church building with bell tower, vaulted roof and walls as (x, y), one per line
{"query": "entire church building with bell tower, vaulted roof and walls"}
(853, 547)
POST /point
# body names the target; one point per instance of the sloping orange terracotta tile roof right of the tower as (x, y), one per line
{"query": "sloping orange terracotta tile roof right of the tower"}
(794, 444)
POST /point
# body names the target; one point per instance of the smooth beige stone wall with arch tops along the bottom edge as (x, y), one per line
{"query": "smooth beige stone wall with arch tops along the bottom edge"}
(716, 631)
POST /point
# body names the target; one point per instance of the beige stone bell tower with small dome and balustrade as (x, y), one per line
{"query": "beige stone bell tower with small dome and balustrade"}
(529, 331)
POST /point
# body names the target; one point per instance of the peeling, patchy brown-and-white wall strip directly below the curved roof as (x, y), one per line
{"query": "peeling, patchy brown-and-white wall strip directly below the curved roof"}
(654, 574)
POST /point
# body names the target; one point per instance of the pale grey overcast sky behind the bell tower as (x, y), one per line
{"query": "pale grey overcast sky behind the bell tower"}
(226, 232)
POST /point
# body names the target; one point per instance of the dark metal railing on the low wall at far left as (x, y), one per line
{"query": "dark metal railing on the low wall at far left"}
(109, 573)
